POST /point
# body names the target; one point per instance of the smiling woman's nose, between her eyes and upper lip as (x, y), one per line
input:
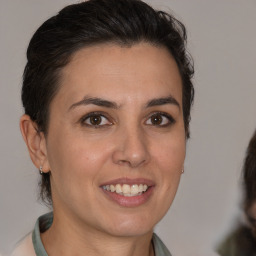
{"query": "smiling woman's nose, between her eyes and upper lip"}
(131, 149)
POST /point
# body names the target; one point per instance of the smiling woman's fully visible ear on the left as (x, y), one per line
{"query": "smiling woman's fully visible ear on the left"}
(36, 143)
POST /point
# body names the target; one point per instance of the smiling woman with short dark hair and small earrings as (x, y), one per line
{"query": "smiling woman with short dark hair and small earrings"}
(107, 94)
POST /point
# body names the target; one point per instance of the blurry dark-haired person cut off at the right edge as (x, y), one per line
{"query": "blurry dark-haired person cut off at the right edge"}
(242, 242)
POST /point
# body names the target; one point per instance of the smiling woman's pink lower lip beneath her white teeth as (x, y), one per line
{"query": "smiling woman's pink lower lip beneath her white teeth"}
(132, 201)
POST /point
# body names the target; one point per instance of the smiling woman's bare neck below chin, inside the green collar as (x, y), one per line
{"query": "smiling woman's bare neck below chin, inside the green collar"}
(71, 239)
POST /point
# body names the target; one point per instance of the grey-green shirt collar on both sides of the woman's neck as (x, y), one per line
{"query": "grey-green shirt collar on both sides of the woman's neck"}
(44, 222)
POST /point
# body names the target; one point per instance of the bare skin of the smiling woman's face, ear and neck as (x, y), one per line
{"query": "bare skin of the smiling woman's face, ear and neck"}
(127, 143)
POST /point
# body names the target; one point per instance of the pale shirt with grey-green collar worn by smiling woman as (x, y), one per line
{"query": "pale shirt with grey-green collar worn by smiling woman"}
(32, 244)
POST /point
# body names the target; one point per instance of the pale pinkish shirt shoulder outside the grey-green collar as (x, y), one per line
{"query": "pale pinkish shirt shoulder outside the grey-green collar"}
(24, 247)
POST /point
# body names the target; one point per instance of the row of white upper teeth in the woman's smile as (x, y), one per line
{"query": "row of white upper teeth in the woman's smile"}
(127, 190)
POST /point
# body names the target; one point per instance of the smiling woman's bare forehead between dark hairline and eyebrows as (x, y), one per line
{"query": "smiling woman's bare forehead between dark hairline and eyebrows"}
(121, 72)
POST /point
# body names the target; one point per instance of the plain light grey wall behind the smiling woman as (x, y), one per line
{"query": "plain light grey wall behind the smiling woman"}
(222, 40)
